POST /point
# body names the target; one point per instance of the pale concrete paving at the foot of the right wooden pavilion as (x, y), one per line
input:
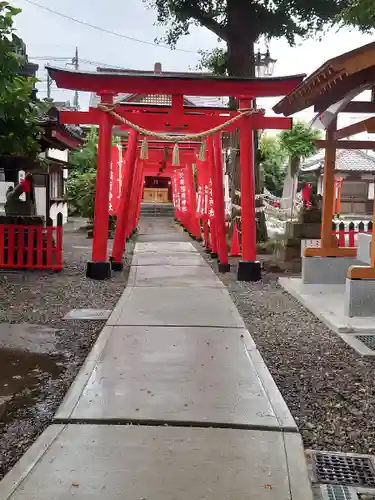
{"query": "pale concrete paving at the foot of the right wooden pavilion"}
(327, 302)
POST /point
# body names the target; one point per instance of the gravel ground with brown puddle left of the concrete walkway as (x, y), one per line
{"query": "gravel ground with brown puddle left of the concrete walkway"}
(43, 298)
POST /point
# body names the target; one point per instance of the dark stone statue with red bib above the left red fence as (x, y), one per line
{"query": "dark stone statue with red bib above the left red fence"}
(16, 207)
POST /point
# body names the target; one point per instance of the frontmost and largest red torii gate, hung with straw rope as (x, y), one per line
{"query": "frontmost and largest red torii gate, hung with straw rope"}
(175, 119)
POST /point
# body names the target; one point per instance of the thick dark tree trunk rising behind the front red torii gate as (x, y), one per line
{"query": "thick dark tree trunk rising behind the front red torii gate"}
(241, 63)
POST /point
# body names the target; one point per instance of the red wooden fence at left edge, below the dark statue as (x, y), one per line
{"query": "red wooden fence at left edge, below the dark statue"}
(32, 247)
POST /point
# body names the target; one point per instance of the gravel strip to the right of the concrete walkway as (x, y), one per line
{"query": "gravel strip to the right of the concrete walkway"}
(329, 389)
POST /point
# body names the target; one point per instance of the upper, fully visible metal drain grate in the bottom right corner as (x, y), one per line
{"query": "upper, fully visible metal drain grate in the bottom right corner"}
(341, 469)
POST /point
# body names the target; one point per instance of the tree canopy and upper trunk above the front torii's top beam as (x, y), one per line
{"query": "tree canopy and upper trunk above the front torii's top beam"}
(240, 23)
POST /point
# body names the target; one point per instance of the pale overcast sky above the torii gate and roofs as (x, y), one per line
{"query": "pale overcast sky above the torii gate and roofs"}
(51, 36)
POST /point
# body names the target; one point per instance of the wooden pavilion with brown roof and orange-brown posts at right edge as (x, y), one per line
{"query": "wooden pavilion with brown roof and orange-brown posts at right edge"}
(331, 90)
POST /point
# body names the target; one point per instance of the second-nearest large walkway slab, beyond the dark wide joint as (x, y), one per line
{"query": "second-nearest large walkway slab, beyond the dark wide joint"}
(200, 376)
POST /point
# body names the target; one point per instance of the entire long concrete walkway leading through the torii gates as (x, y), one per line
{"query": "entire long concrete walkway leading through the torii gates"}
(173, 403)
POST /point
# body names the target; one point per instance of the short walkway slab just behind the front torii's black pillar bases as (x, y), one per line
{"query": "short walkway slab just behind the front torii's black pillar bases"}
(170, 259)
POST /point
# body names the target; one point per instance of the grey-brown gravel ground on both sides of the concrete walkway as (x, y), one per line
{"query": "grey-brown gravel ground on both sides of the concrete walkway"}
(327, 386)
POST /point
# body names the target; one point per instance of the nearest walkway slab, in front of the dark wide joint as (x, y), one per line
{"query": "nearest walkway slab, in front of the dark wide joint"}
(159, 463)
